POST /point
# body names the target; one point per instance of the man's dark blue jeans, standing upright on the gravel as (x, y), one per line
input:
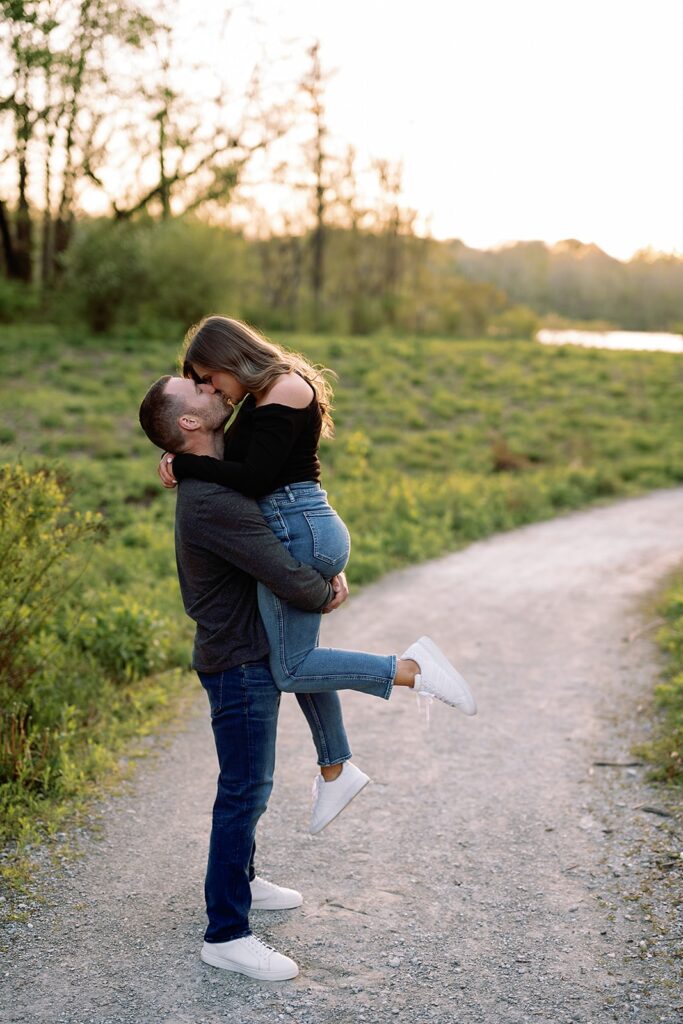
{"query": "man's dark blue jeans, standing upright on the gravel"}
(244, 717)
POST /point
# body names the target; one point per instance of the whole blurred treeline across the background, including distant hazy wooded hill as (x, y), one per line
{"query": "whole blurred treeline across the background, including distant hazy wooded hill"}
(145, 273)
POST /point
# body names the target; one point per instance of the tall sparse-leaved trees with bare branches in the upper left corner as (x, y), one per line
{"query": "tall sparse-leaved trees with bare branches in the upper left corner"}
(97, 100)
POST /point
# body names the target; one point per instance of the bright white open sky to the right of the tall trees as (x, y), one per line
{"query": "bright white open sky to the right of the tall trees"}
(515, 119)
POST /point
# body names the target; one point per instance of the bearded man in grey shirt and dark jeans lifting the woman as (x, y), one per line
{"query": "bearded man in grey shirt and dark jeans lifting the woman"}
(223, 548)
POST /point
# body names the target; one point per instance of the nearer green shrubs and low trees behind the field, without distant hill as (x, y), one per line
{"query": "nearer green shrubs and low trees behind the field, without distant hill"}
(147, 274)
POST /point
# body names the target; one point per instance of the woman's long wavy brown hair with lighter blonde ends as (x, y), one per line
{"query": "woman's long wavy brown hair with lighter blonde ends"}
(224, 344)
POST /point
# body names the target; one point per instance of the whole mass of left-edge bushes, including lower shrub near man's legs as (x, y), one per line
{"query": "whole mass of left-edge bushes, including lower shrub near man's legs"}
(69, 656)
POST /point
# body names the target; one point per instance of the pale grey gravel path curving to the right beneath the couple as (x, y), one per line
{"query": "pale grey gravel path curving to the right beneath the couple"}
(492, 874)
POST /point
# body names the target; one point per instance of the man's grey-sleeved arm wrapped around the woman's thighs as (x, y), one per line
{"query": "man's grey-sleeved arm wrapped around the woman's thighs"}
(232, 527)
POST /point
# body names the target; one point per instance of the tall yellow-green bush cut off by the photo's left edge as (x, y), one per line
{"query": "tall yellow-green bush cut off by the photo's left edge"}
(41, 557)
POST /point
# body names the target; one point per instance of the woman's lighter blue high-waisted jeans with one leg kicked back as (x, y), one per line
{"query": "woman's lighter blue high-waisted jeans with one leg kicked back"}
(301, 517)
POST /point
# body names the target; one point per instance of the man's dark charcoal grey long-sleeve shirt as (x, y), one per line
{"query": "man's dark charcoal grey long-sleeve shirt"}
(223, 547)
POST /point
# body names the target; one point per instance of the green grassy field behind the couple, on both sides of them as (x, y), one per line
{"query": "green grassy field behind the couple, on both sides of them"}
(439, 443)
